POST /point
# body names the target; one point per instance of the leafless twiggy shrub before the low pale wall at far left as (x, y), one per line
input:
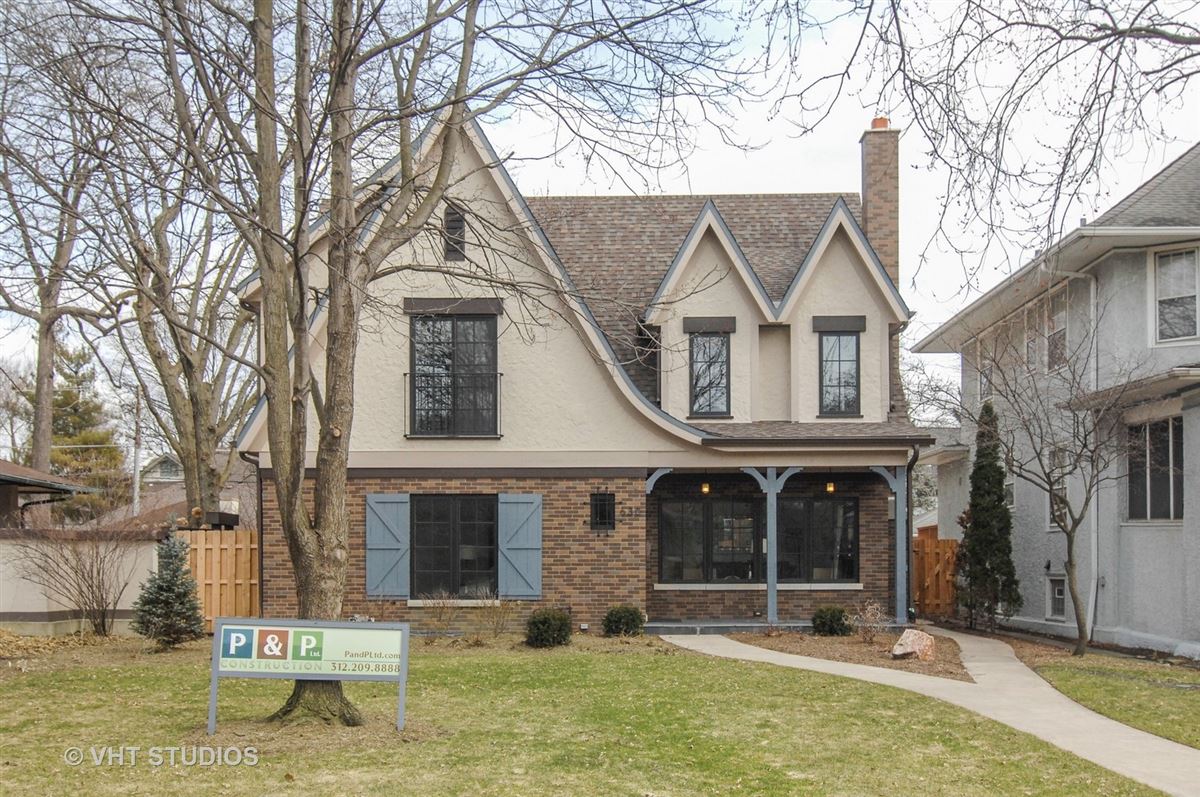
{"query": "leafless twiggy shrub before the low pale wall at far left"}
(85, 571)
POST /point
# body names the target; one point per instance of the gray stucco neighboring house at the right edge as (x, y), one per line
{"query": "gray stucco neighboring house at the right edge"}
(1137, 269)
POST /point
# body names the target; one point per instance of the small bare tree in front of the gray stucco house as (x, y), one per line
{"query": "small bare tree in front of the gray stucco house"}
(1060, 421)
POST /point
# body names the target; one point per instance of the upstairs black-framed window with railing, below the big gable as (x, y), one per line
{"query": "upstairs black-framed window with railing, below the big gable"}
(454, 380)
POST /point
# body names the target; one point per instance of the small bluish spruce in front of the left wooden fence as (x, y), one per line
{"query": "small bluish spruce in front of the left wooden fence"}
(169, 610)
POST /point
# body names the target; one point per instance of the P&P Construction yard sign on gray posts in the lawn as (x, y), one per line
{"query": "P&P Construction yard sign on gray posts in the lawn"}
(309, 650)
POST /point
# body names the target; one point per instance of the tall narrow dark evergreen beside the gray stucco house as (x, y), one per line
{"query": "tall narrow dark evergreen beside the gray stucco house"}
(987, 577)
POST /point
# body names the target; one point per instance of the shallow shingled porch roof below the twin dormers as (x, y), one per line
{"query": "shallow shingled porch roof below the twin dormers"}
(800, 435)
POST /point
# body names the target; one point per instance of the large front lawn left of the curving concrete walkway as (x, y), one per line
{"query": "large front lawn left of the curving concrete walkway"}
(597, 718)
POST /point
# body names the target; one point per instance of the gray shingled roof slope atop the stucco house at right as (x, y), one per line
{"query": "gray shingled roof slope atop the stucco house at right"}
(1171, 199)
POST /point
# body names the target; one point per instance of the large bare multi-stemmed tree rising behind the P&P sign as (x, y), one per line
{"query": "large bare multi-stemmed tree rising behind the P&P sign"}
(371, 105)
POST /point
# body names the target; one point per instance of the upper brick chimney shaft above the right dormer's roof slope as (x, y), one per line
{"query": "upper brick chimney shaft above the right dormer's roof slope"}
(881, 194)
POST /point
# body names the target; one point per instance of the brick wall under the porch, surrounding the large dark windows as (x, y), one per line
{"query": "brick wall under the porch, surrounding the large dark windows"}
(875, 553)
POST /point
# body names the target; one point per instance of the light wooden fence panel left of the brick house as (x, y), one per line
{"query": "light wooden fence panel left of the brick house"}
(225, 565)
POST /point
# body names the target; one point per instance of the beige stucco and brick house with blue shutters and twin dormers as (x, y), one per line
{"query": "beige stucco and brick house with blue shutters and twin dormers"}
(699, 387)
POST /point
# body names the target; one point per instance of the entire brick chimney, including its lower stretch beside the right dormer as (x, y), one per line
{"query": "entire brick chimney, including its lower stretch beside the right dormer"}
(881, 223)
